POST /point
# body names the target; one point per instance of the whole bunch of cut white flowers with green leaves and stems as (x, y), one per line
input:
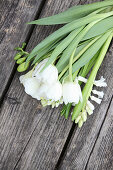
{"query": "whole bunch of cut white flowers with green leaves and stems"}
(62, 61)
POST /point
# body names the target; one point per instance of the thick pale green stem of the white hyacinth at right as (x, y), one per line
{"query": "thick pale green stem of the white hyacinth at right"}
(88, 87)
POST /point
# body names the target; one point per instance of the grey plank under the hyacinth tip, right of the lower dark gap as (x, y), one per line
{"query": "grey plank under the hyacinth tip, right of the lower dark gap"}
(83, 140)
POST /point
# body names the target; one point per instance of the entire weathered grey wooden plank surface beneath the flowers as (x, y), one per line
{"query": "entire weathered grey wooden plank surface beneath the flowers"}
(32, 137)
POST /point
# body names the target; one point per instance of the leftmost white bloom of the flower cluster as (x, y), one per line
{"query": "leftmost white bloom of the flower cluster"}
(32, 87)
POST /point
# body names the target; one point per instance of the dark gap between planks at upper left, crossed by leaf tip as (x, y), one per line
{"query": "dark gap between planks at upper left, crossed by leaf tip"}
(15, 65)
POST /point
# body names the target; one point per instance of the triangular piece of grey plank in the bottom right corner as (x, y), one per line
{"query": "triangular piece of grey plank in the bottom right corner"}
(102, 155)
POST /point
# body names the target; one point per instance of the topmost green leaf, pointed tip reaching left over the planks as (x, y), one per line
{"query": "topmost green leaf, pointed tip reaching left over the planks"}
(71, 14)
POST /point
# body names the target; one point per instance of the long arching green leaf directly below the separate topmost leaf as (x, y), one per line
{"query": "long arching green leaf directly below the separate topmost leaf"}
(63, 32)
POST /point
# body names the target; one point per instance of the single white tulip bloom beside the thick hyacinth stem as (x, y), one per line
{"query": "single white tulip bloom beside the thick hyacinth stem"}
(71, 92)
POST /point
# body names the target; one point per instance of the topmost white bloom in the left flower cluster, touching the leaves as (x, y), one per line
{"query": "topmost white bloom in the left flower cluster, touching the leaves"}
(49, 75)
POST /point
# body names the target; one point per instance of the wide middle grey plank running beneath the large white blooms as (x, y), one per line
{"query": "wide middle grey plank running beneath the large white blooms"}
(20, 114)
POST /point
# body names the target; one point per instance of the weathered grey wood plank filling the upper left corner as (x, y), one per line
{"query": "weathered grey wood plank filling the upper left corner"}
(14, 31)
